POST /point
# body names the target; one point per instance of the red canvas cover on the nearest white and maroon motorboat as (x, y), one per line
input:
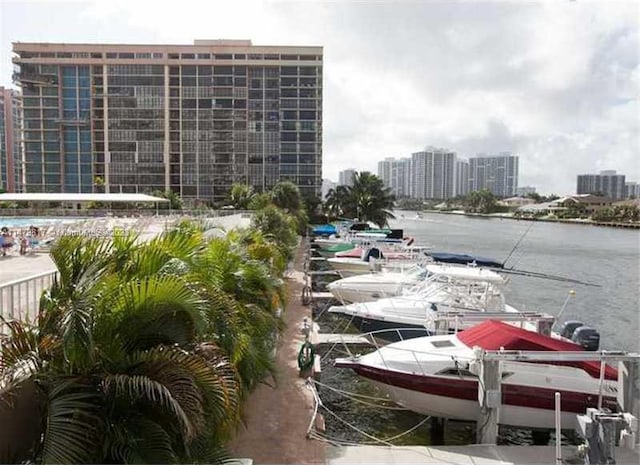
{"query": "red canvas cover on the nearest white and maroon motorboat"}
(494, 335)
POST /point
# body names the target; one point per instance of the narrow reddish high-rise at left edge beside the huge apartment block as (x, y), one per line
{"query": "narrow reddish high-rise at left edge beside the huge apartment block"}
(10, 147)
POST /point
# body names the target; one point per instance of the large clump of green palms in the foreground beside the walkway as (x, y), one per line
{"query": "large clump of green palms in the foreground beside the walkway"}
(141, 351)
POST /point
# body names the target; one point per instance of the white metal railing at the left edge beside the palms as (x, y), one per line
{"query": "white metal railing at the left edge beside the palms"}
(20, 299)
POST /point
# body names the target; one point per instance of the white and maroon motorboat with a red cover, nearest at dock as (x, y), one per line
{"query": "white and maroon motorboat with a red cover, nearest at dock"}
(437, 375)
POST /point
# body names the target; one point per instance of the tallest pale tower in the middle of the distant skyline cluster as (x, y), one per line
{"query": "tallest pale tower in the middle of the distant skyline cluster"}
(433, 174)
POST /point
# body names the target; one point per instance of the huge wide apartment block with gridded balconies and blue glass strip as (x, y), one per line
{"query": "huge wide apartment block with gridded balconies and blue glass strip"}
(190, 118)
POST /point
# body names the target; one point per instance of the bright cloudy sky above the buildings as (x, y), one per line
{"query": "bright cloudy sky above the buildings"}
(555, 83)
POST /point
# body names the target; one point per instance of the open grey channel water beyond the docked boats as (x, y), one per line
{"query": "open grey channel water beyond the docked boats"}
(609, 257)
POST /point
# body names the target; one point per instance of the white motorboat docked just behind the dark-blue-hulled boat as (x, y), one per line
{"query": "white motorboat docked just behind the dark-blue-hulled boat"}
(372, 286)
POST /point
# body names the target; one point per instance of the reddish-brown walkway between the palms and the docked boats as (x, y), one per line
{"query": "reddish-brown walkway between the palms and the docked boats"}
(276, 418)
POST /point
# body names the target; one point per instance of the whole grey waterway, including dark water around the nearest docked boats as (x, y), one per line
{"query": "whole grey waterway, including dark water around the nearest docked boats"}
(606, 257)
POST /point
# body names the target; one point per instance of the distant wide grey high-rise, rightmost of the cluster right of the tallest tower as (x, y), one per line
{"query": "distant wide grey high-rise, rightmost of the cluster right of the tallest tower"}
(498, 174)
